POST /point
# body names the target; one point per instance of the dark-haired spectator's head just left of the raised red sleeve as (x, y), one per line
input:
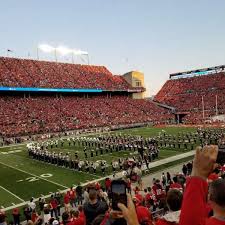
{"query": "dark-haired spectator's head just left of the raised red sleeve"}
(174, 199)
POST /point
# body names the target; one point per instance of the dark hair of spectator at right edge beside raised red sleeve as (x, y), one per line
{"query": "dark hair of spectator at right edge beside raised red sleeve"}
(217, 192)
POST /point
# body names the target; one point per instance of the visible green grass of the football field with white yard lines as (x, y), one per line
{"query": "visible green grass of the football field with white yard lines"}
(22, 177)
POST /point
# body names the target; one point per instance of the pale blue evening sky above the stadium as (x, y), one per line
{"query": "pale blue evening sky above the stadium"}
(154, 37)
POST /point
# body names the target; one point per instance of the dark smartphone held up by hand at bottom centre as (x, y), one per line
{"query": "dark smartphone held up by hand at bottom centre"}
(119, 195)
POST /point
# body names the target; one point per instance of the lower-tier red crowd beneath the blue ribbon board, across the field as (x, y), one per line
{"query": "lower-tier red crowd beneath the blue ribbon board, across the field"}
(44, 114)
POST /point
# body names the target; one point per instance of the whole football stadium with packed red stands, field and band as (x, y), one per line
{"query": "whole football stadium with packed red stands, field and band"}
(69, 131)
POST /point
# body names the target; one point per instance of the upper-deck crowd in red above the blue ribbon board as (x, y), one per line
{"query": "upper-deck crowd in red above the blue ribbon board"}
(16, 72)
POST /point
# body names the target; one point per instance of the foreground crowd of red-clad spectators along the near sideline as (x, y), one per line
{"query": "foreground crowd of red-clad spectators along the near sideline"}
(182, 200)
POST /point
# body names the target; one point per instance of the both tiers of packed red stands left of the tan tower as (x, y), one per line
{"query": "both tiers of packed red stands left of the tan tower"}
(29, 113)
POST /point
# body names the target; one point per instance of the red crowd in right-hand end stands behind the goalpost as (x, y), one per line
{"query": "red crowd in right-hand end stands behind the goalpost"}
(191, 93)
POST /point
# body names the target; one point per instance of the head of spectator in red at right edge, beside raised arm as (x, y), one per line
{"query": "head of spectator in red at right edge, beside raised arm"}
(217, 195)
